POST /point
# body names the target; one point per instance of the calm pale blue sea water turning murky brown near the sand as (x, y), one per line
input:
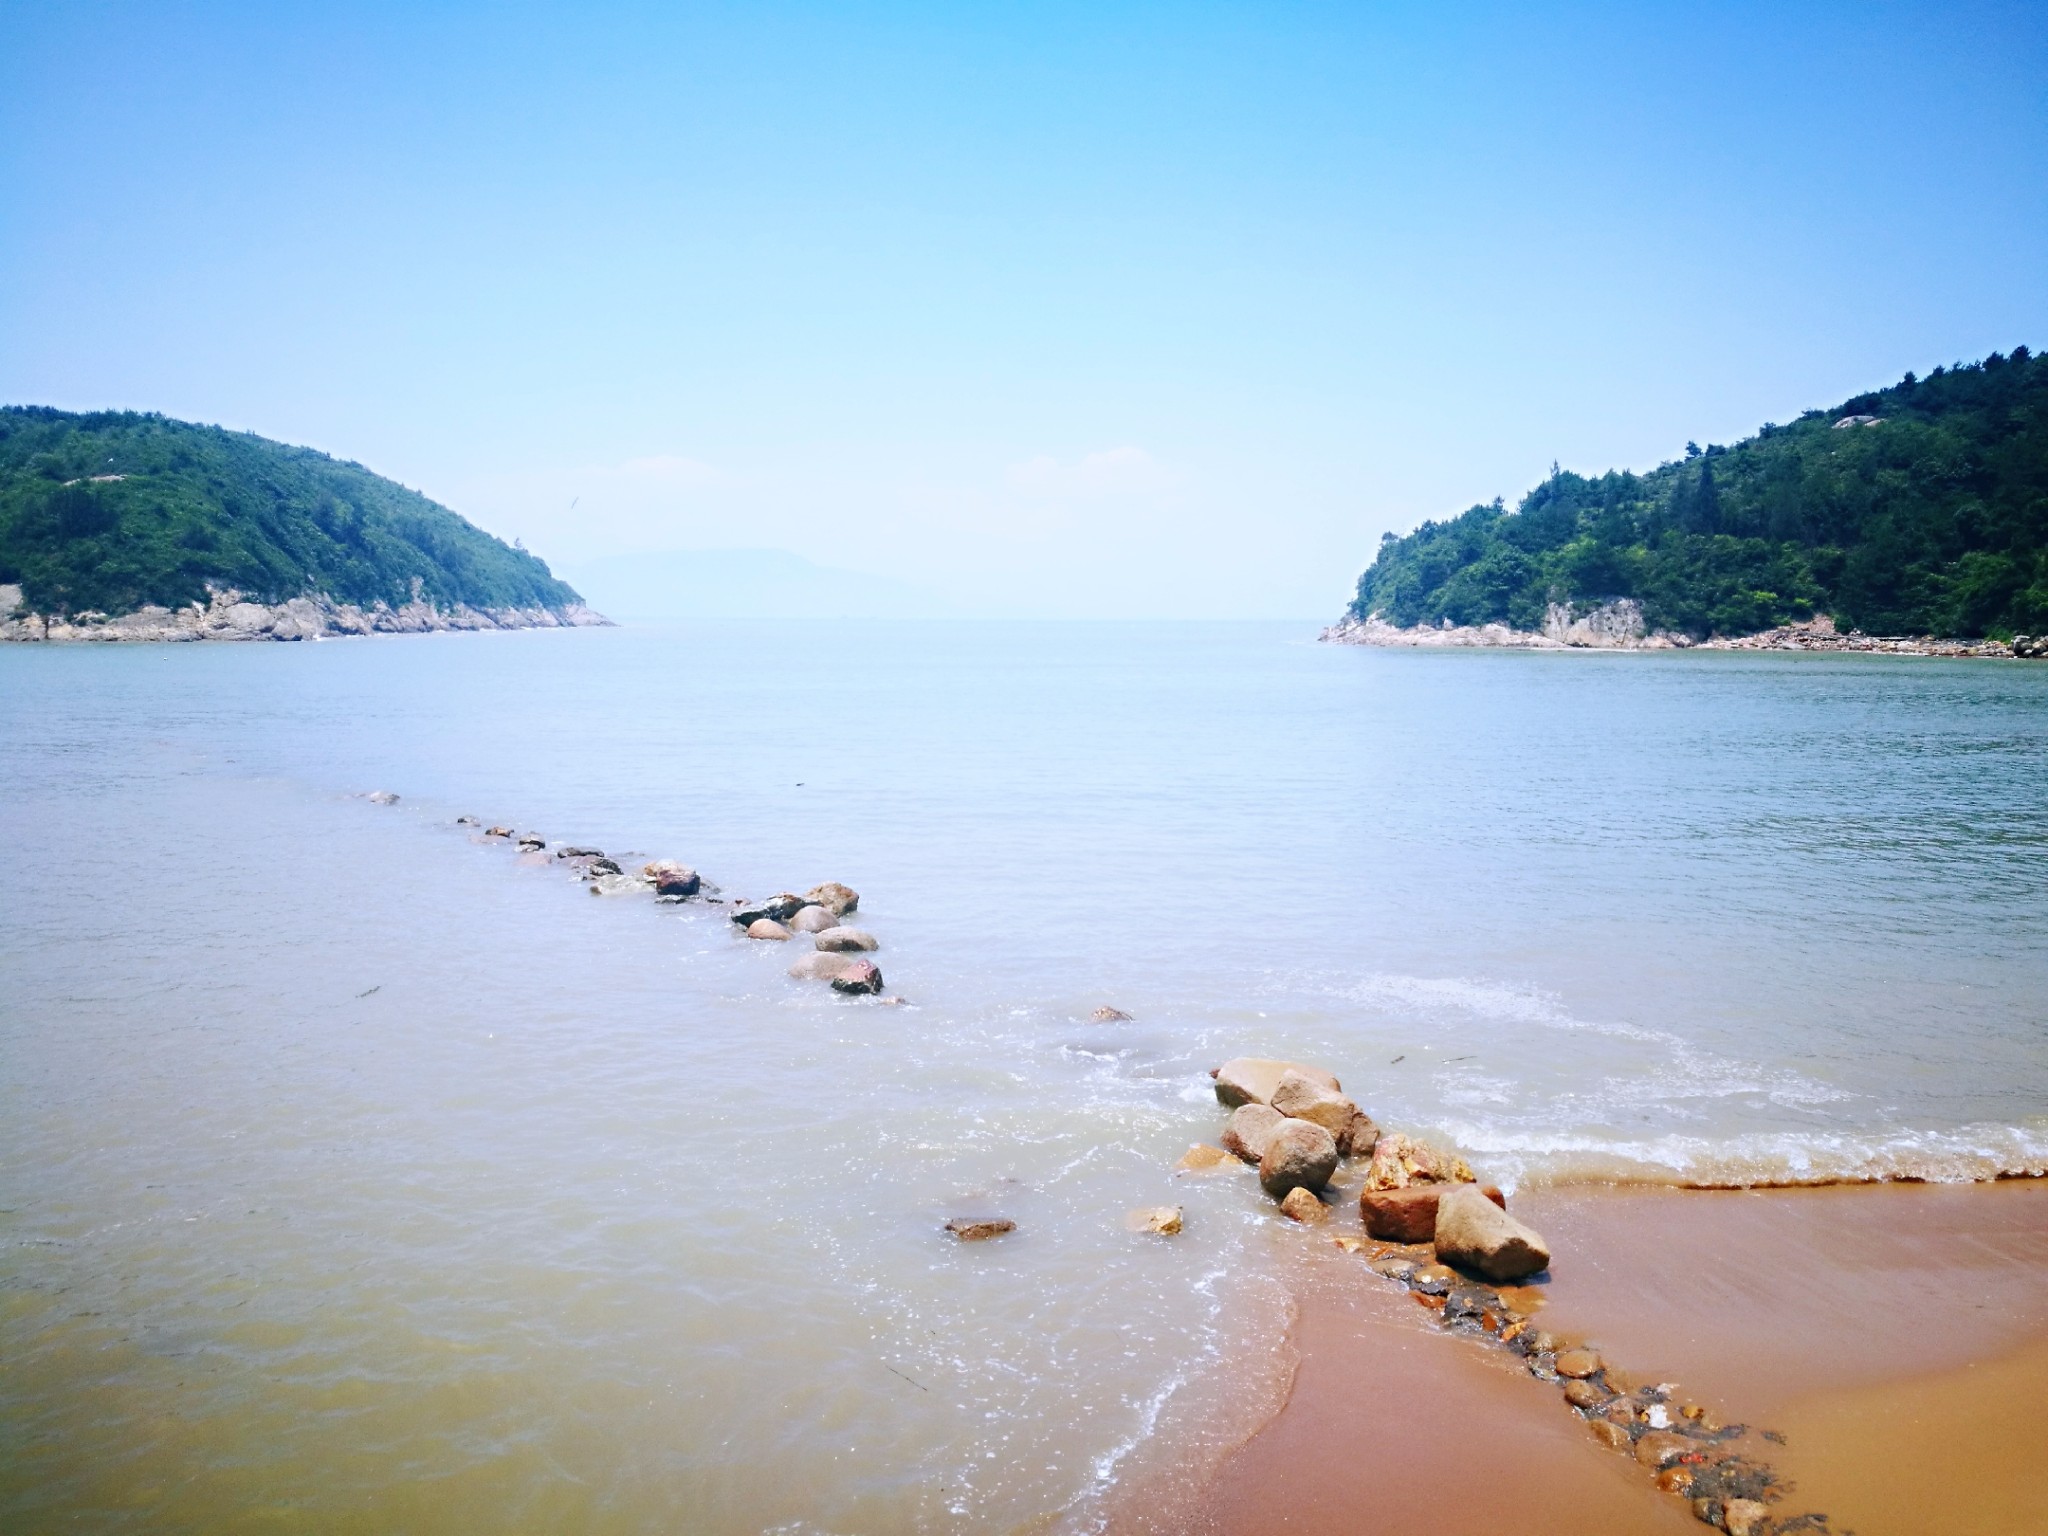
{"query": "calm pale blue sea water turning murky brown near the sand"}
(361, 1177)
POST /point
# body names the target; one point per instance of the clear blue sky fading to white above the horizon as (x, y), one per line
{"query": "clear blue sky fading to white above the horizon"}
(1138, 310)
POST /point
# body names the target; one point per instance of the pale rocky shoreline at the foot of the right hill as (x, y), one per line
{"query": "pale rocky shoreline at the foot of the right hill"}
(1621, 628)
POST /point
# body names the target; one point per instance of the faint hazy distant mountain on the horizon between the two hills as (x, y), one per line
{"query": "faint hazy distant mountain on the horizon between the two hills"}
(746, 585)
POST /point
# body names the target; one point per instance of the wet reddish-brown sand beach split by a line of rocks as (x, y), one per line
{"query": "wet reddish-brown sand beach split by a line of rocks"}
(1895, 1336)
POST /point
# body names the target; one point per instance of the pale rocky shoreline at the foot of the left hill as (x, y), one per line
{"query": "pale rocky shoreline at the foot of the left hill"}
(230, 617)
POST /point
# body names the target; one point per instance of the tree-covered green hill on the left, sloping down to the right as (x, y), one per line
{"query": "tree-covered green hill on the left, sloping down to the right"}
(112, 511)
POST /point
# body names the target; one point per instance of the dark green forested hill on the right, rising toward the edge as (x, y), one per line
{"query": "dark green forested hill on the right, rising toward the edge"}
(1932, 519)
